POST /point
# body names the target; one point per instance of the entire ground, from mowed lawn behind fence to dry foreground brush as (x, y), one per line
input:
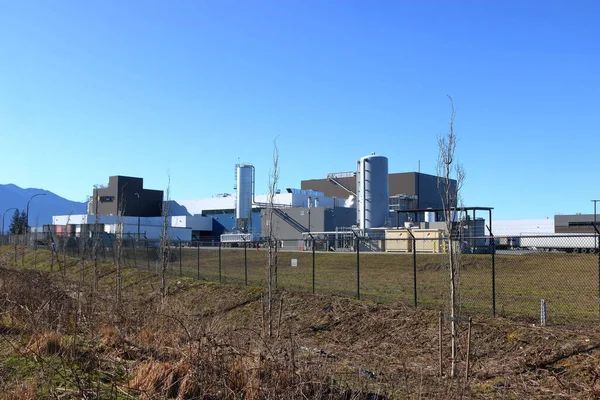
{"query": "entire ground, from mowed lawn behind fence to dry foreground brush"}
(61, 338)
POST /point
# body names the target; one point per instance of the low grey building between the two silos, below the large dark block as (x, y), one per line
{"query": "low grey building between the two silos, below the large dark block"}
(290, 223)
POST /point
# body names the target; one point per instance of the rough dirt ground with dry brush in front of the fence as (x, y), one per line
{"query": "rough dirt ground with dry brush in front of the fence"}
(60, 338)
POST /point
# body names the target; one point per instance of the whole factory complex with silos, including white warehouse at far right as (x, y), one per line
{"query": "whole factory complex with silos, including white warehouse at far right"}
(367, 202)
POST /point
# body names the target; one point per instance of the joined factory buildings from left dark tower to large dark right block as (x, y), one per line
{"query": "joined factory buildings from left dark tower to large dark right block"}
(364, 201)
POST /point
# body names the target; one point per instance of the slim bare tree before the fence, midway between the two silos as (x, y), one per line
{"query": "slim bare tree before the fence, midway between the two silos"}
(272, 241)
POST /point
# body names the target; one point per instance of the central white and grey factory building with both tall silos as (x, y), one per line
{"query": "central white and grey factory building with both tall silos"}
(356, 200)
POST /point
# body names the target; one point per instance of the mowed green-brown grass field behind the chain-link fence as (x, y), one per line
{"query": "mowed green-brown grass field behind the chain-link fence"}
(568, 282)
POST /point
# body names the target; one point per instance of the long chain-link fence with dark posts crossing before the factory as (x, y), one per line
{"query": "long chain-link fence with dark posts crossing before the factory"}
(499, 276)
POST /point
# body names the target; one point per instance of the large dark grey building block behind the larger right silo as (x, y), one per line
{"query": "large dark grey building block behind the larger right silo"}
(423, 186)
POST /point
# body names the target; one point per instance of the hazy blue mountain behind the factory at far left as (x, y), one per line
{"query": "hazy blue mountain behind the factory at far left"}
(41, 209)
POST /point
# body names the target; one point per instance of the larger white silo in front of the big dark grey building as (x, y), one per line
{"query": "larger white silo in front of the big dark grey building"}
(372, 191)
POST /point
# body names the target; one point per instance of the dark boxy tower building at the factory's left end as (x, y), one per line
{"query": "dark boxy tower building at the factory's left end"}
(126, 196)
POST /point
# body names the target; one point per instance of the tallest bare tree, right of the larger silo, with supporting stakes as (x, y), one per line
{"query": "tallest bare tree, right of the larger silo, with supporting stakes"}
(451, 176)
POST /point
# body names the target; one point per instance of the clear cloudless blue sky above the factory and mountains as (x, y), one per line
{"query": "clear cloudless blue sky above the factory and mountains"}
(90, 89)
